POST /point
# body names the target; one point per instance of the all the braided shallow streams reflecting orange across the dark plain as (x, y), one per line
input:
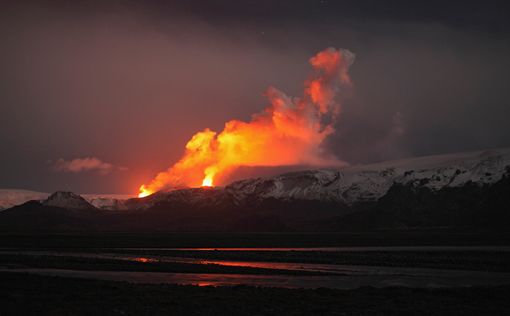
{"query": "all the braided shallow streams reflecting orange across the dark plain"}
(339, 276)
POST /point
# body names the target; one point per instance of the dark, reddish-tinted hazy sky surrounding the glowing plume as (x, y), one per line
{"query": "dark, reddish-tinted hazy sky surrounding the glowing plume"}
(129, 82)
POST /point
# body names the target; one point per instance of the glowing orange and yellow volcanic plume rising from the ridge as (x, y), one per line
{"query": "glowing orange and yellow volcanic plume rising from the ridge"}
(289, 131)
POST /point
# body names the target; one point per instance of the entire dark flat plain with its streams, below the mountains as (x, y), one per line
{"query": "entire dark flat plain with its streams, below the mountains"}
(385, 273)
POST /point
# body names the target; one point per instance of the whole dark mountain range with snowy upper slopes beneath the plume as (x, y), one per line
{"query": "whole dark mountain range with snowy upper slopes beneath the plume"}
(456, 191)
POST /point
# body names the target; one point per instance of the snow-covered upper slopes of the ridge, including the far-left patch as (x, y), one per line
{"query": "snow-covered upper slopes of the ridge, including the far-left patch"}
(347, 185)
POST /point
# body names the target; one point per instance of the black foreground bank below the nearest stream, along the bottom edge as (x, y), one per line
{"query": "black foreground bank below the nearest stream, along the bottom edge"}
(22, 294)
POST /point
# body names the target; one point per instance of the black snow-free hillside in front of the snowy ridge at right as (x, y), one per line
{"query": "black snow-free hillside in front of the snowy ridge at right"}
(470, 206)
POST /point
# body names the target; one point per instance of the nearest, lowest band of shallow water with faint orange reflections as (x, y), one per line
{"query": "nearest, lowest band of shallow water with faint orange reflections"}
(333, 281)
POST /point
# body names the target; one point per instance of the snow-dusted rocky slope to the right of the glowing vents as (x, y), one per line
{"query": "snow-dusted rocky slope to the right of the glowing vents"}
(370, 182)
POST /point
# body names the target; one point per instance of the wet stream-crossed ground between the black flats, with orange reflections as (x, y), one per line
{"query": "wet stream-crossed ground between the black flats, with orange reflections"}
(323, 267)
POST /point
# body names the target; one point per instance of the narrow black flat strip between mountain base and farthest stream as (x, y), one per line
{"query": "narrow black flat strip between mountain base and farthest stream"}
(84, 240)
